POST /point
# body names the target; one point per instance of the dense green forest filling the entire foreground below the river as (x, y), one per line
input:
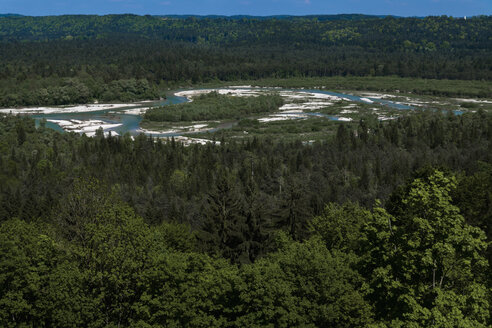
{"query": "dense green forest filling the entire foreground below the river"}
(384, 225)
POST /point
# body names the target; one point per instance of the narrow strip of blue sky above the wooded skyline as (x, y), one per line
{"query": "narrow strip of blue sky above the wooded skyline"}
(455, 8)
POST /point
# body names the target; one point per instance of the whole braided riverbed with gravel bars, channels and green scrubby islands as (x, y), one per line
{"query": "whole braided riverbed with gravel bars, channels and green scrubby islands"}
(309, 110)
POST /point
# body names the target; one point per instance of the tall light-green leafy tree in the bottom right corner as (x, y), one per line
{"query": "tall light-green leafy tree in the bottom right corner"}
(423, 262)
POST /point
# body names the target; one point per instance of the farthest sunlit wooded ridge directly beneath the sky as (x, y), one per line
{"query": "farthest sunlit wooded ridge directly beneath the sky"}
(415, 33)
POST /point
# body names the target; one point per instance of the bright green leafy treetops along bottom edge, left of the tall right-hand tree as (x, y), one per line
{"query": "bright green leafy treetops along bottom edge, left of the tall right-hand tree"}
(126, 275)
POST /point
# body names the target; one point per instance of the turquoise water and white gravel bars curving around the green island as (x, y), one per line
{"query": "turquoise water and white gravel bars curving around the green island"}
(123, 118)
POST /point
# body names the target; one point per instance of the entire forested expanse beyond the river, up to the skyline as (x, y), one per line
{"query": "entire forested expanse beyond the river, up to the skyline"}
(43, 53)
